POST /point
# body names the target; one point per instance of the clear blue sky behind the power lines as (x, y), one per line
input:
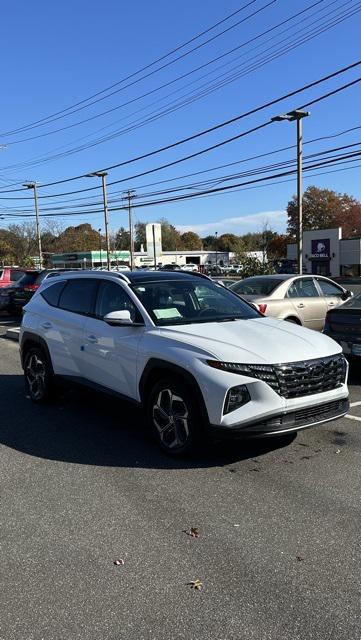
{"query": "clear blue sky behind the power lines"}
(57, 54)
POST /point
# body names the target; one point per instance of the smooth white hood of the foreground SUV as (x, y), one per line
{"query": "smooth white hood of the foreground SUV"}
(258, 340)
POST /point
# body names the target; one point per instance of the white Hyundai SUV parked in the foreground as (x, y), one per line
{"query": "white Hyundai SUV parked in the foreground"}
(195, 355)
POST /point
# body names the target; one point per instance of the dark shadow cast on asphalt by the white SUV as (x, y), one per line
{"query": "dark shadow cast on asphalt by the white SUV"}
(84, 427)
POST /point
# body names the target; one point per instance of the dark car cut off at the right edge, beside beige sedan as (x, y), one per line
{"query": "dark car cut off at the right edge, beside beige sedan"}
(343, 324)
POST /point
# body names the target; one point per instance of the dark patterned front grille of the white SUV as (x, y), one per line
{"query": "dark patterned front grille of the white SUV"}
(304, 378)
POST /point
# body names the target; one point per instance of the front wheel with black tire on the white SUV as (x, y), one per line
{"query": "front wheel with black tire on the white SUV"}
(182, 434)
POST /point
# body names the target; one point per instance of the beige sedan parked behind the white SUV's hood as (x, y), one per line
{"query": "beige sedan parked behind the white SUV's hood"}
(302, 300)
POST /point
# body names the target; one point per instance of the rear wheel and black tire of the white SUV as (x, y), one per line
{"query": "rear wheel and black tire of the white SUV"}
(39, 377)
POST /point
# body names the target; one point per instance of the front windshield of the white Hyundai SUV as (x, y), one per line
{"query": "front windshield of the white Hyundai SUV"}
(187, 302)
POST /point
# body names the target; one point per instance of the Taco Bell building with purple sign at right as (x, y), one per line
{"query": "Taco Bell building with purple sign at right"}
(326, 253)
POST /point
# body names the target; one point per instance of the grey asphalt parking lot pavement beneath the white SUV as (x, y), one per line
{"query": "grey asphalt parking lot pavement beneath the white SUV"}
(82, 485)
